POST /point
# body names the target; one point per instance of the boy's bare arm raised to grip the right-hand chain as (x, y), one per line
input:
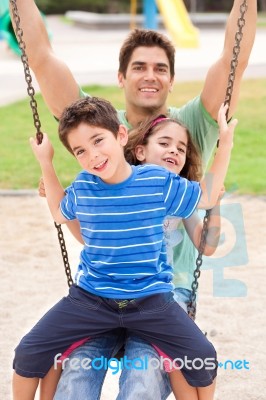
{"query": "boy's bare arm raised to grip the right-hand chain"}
(213, 180)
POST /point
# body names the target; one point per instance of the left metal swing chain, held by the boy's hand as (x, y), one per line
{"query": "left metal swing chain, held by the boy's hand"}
(37, 123)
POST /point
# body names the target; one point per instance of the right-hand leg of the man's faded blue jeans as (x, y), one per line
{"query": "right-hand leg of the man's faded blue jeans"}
(148, 383)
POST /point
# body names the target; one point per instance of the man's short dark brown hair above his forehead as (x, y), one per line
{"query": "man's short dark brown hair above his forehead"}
(146, 38)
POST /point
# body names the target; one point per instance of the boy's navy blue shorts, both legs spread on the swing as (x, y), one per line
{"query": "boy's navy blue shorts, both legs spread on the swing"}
(158, 319)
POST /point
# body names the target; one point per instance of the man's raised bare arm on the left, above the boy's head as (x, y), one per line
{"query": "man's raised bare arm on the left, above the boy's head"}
(56, 81)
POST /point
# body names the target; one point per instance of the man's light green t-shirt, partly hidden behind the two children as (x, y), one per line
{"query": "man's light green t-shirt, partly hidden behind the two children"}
(204, 132)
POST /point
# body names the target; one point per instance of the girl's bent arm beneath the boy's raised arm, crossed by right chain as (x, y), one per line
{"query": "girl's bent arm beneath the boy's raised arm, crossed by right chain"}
(194, 227)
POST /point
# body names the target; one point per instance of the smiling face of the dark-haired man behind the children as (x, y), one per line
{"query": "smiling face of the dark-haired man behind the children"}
(147, 81)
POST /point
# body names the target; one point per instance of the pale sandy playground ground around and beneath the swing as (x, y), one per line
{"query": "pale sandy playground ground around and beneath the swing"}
(33, 279)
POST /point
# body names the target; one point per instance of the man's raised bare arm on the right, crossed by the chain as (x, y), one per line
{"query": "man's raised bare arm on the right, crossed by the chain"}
(214, 90)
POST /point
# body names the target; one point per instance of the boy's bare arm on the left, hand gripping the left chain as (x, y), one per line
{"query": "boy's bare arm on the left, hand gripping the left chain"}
(54, 191)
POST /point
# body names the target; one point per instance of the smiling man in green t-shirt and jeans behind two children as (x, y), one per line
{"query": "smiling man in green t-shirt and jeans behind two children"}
(146, 76)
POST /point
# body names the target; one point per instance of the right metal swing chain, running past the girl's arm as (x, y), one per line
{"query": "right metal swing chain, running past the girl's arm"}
(229, 91)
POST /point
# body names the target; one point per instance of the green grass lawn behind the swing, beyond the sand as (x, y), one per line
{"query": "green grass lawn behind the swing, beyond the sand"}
(19, 170)
